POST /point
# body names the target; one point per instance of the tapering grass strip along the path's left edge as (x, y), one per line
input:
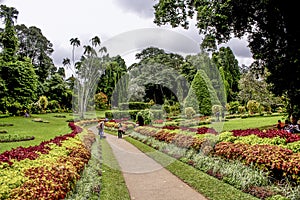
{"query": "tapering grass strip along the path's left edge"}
(113, 186)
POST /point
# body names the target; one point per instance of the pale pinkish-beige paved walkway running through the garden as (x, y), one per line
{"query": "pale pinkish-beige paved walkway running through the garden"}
(145, 178)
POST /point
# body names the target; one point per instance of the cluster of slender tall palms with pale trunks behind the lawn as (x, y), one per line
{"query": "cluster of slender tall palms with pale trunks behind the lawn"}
(88, 70)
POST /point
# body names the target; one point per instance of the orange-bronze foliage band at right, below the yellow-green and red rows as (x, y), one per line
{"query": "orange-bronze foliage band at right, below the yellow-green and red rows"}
(281, 162)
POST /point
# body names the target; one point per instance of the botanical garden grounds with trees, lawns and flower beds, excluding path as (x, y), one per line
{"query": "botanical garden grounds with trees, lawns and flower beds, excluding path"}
(210, 122)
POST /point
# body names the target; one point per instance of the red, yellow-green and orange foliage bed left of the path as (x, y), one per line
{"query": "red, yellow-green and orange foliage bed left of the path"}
(46, 171)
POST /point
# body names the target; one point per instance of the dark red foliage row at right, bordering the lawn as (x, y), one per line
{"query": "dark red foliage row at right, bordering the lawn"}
(270, 133)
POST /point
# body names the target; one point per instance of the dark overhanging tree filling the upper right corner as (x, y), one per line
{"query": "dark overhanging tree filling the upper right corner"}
(270, 26)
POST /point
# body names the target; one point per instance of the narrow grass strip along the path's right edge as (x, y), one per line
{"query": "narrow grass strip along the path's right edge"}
(207, 185)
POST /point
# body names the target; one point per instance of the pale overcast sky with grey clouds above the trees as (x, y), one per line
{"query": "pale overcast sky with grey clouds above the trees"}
(125, 27)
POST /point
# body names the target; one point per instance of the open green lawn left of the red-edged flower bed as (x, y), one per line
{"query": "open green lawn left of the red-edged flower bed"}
(41, 131)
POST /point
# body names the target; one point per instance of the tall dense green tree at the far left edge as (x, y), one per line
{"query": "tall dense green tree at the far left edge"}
(17, 77)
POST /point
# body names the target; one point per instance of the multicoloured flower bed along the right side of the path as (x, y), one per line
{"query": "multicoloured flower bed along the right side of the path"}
(274, 153)
